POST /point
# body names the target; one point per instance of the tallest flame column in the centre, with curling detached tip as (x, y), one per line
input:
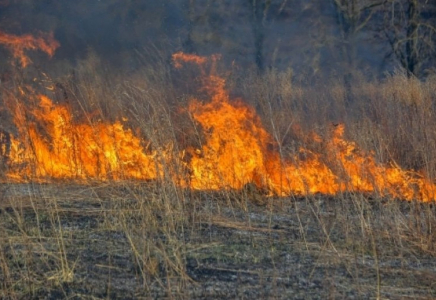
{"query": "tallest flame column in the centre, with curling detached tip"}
(236, 144)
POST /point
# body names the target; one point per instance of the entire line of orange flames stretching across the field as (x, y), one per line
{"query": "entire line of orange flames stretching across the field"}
(236, 151)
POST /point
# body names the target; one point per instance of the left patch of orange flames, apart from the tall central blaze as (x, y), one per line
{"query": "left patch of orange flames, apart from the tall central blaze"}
(52, 146)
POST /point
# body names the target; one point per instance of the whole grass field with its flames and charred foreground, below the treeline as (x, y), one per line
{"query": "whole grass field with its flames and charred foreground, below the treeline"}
(112, 188)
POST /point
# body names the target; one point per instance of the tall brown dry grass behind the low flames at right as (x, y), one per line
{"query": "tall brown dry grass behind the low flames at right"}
(393, 116)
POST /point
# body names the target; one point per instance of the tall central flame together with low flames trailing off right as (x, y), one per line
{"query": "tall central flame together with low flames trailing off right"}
(238, 151)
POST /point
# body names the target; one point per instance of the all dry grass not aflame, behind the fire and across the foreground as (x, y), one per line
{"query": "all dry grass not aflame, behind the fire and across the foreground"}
(156, 239)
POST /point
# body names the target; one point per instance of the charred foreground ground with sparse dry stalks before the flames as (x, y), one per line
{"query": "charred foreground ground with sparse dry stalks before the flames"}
(93, 242)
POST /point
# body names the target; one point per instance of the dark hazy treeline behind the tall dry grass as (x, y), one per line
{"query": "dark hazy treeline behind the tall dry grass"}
(319, 37)
